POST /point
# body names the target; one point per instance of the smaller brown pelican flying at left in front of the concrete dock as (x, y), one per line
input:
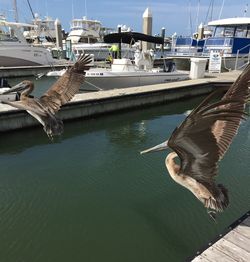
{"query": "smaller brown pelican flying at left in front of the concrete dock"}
(62, 91)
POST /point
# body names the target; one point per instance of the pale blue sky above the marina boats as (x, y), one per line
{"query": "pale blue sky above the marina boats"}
(174, 15)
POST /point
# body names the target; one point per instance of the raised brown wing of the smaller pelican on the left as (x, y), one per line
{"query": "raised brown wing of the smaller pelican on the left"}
(66, 86)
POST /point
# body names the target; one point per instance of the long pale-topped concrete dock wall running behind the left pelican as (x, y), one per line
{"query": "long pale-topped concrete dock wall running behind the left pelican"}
(103, 102)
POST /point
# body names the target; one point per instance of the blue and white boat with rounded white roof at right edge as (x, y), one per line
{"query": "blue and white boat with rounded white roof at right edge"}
(229, 38)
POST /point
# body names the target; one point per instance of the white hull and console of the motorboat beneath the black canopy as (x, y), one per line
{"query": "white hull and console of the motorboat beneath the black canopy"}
(123, 73)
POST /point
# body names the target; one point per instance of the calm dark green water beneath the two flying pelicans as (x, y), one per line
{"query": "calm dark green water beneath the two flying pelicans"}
(90, 196)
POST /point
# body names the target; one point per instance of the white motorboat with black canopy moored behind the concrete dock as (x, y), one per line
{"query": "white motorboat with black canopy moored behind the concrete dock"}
(125, 72)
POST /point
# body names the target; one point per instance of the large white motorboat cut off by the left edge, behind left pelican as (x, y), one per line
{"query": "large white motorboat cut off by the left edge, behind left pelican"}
(15, 51)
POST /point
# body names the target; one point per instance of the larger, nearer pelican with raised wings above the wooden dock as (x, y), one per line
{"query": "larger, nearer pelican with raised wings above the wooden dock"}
(201, 141)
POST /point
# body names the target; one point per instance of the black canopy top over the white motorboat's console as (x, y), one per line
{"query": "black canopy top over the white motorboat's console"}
(131, 38)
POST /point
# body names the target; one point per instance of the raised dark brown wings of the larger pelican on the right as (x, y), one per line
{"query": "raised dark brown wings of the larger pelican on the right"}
(206, 134)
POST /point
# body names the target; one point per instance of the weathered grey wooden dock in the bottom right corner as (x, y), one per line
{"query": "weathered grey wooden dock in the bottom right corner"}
(232, 246)
